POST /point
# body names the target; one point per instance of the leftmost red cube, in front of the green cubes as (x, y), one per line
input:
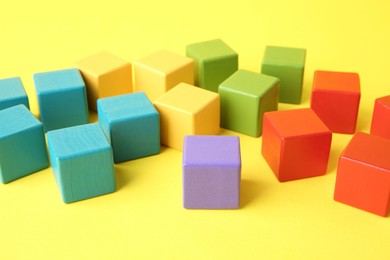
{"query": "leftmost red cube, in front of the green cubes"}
(295, 144)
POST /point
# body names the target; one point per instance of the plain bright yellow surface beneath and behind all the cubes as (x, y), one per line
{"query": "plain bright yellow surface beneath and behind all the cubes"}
(144, 219)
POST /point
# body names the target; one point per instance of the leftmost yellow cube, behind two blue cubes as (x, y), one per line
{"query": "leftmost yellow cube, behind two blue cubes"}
(105, 75)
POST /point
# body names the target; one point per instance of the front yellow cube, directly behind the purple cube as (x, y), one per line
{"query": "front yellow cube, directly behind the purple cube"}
(187, 110)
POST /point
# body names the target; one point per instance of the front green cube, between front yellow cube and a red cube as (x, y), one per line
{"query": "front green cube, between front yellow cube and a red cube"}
(245, 97)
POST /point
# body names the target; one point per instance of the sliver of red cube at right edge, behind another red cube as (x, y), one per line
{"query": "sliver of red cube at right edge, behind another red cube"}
(380, 124)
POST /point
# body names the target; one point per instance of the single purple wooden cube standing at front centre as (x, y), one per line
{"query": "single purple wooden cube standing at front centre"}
(211, 172)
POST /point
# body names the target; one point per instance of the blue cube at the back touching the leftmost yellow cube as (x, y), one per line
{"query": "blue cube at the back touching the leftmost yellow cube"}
(62, 98)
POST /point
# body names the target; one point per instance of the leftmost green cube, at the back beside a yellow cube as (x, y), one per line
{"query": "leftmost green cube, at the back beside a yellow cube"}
(215, 61)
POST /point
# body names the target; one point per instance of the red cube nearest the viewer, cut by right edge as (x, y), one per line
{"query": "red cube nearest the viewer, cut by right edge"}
(363, 174)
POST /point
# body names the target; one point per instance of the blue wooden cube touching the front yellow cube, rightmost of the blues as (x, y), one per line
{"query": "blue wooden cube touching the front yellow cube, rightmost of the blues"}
(131, 124)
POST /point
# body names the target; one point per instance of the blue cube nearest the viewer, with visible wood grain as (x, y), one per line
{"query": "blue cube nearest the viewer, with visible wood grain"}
(82, 162)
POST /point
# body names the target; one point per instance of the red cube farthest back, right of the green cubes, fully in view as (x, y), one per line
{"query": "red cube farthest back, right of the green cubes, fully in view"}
(335, 98)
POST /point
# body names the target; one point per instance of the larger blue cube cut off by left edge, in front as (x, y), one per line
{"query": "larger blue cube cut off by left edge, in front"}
(22, 144)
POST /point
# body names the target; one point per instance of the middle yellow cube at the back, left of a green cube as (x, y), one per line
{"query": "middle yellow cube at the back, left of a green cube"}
(161, 71)
